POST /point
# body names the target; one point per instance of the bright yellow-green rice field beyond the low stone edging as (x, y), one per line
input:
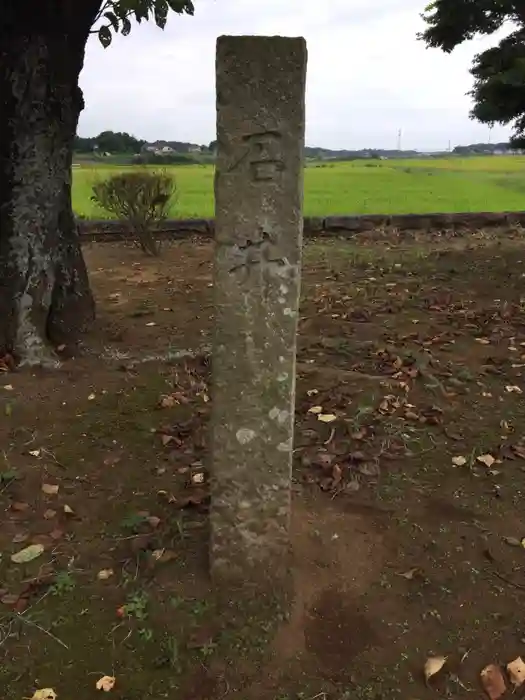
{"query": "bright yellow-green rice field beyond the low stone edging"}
(492, 183)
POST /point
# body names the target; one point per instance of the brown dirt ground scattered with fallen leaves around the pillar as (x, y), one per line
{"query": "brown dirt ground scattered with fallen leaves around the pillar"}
(408, 508)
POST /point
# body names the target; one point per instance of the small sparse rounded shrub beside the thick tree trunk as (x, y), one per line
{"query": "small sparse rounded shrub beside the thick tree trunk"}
(140, 198)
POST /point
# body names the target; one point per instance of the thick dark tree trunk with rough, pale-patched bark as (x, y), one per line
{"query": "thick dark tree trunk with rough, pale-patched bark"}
(45, 299)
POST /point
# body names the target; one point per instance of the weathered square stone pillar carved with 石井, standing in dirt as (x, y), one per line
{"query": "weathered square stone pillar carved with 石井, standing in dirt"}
(258, 219)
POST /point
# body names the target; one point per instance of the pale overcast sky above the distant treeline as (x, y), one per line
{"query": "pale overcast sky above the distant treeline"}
(368, 76)
